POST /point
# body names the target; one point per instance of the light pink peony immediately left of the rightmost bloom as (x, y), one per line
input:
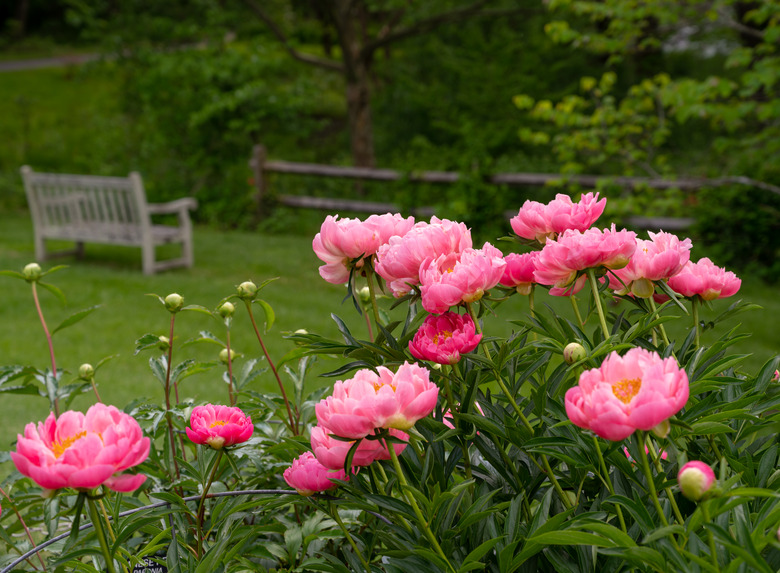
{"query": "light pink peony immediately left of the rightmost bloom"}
(660, 258)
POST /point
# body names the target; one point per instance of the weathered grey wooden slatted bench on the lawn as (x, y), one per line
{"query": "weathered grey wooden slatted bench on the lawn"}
(109, 210)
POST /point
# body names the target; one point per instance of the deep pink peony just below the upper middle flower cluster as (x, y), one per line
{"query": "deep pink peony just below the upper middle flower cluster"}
(442, 339)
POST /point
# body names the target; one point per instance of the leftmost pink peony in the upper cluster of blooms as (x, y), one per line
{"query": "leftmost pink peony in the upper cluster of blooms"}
(339, 242)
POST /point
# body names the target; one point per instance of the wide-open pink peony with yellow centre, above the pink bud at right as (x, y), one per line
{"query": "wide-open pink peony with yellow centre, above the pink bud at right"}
(637, 391)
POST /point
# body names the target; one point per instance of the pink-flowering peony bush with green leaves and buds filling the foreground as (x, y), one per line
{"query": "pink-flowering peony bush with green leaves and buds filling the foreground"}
(601, 437)
